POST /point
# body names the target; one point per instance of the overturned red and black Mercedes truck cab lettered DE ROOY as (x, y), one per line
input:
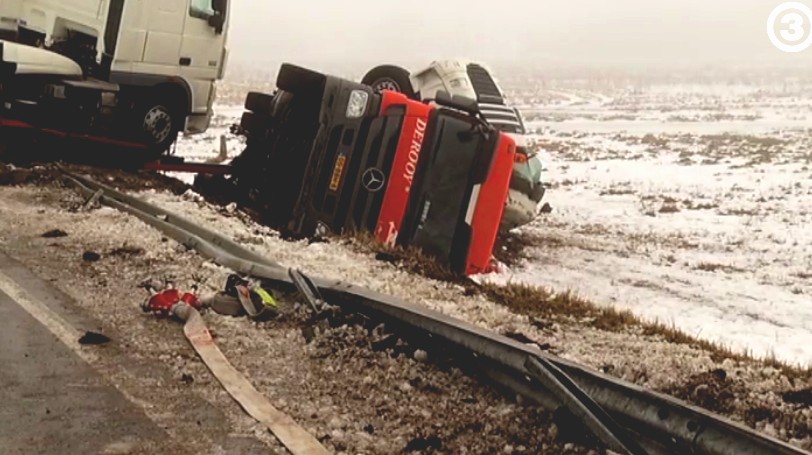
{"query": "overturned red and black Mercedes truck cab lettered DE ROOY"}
(328, 154)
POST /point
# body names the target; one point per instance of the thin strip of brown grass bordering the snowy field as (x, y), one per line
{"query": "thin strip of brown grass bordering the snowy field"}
(532, 301)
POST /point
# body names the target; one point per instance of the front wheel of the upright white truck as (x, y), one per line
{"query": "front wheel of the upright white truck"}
(157, 124)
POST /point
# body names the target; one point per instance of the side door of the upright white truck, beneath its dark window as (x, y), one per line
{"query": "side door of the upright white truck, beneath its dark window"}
(202, 51)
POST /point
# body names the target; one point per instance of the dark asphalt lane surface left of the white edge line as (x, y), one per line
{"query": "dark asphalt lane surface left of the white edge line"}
(53, 402)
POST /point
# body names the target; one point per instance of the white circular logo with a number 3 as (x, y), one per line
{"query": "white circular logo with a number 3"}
(789, 27)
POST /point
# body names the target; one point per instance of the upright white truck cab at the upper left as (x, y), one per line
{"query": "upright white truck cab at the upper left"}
(164, 56)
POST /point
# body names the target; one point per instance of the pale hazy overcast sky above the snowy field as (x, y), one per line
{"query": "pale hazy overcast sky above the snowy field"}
(501, 32)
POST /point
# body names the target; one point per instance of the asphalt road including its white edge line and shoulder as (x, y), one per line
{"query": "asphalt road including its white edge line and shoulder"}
(52, 401)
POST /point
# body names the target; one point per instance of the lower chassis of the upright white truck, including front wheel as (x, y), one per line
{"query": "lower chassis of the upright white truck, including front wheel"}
(47, 95)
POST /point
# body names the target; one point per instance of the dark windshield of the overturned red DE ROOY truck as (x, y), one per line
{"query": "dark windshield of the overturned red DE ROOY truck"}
(441, 205)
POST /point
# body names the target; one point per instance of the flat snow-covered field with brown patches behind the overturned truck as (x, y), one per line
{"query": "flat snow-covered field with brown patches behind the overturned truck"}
(690, 205)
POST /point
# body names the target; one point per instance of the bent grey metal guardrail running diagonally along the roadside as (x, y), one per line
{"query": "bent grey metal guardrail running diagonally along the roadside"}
(650, 422)
